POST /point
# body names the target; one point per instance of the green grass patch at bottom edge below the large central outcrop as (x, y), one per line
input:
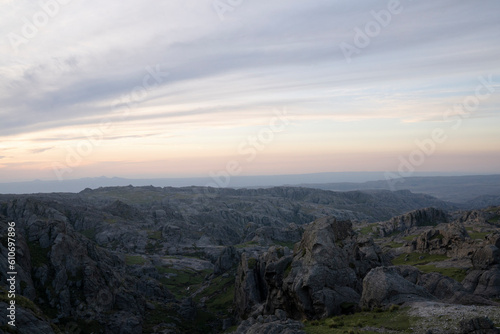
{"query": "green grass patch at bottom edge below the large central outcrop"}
(396, 319)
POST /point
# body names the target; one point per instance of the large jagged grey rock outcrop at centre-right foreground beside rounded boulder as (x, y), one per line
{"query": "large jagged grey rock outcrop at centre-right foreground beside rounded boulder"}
(323, 277)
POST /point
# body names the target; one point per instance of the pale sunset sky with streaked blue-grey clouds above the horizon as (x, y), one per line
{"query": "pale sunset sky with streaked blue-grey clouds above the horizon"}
(215, 88)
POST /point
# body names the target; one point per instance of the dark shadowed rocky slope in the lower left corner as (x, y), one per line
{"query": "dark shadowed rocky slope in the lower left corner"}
(70, 276)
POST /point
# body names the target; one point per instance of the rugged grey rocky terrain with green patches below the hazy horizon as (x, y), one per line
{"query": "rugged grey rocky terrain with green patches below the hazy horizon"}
(277, 260)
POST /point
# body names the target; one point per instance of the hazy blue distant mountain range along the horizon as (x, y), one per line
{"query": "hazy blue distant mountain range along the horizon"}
(468, 190)
